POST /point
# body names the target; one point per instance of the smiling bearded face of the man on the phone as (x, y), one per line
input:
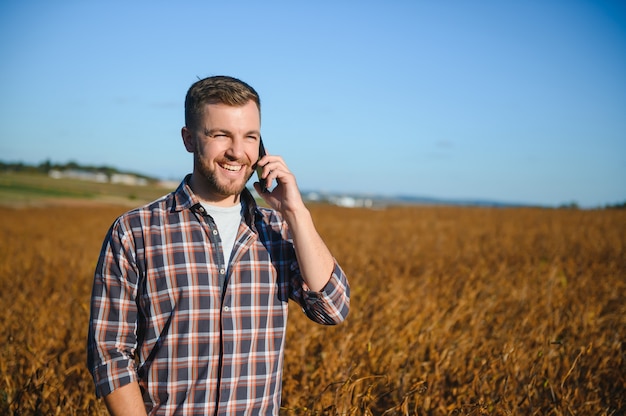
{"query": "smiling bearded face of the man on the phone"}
(225, 145)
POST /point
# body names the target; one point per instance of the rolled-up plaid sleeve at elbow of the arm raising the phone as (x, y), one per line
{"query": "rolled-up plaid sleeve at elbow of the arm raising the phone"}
(331, 305)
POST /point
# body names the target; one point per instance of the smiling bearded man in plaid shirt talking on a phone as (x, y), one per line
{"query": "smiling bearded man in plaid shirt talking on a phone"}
(190, 296)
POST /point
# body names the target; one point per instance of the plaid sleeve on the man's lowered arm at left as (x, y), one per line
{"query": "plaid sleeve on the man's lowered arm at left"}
(112, 335)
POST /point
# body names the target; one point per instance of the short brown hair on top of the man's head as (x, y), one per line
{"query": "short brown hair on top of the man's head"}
(217, 90)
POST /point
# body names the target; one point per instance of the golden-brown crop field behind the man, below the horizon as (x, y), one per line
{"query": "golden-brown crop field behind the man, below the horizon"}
(466, 311)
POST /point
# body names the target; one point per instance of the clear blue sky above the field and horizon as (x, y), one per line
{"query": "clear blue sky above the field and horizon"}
(516, 101)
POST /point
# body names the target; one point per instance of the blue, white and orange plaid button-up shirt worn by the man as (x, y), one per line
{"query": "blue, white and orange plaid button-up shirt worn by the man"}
(159, 314)
